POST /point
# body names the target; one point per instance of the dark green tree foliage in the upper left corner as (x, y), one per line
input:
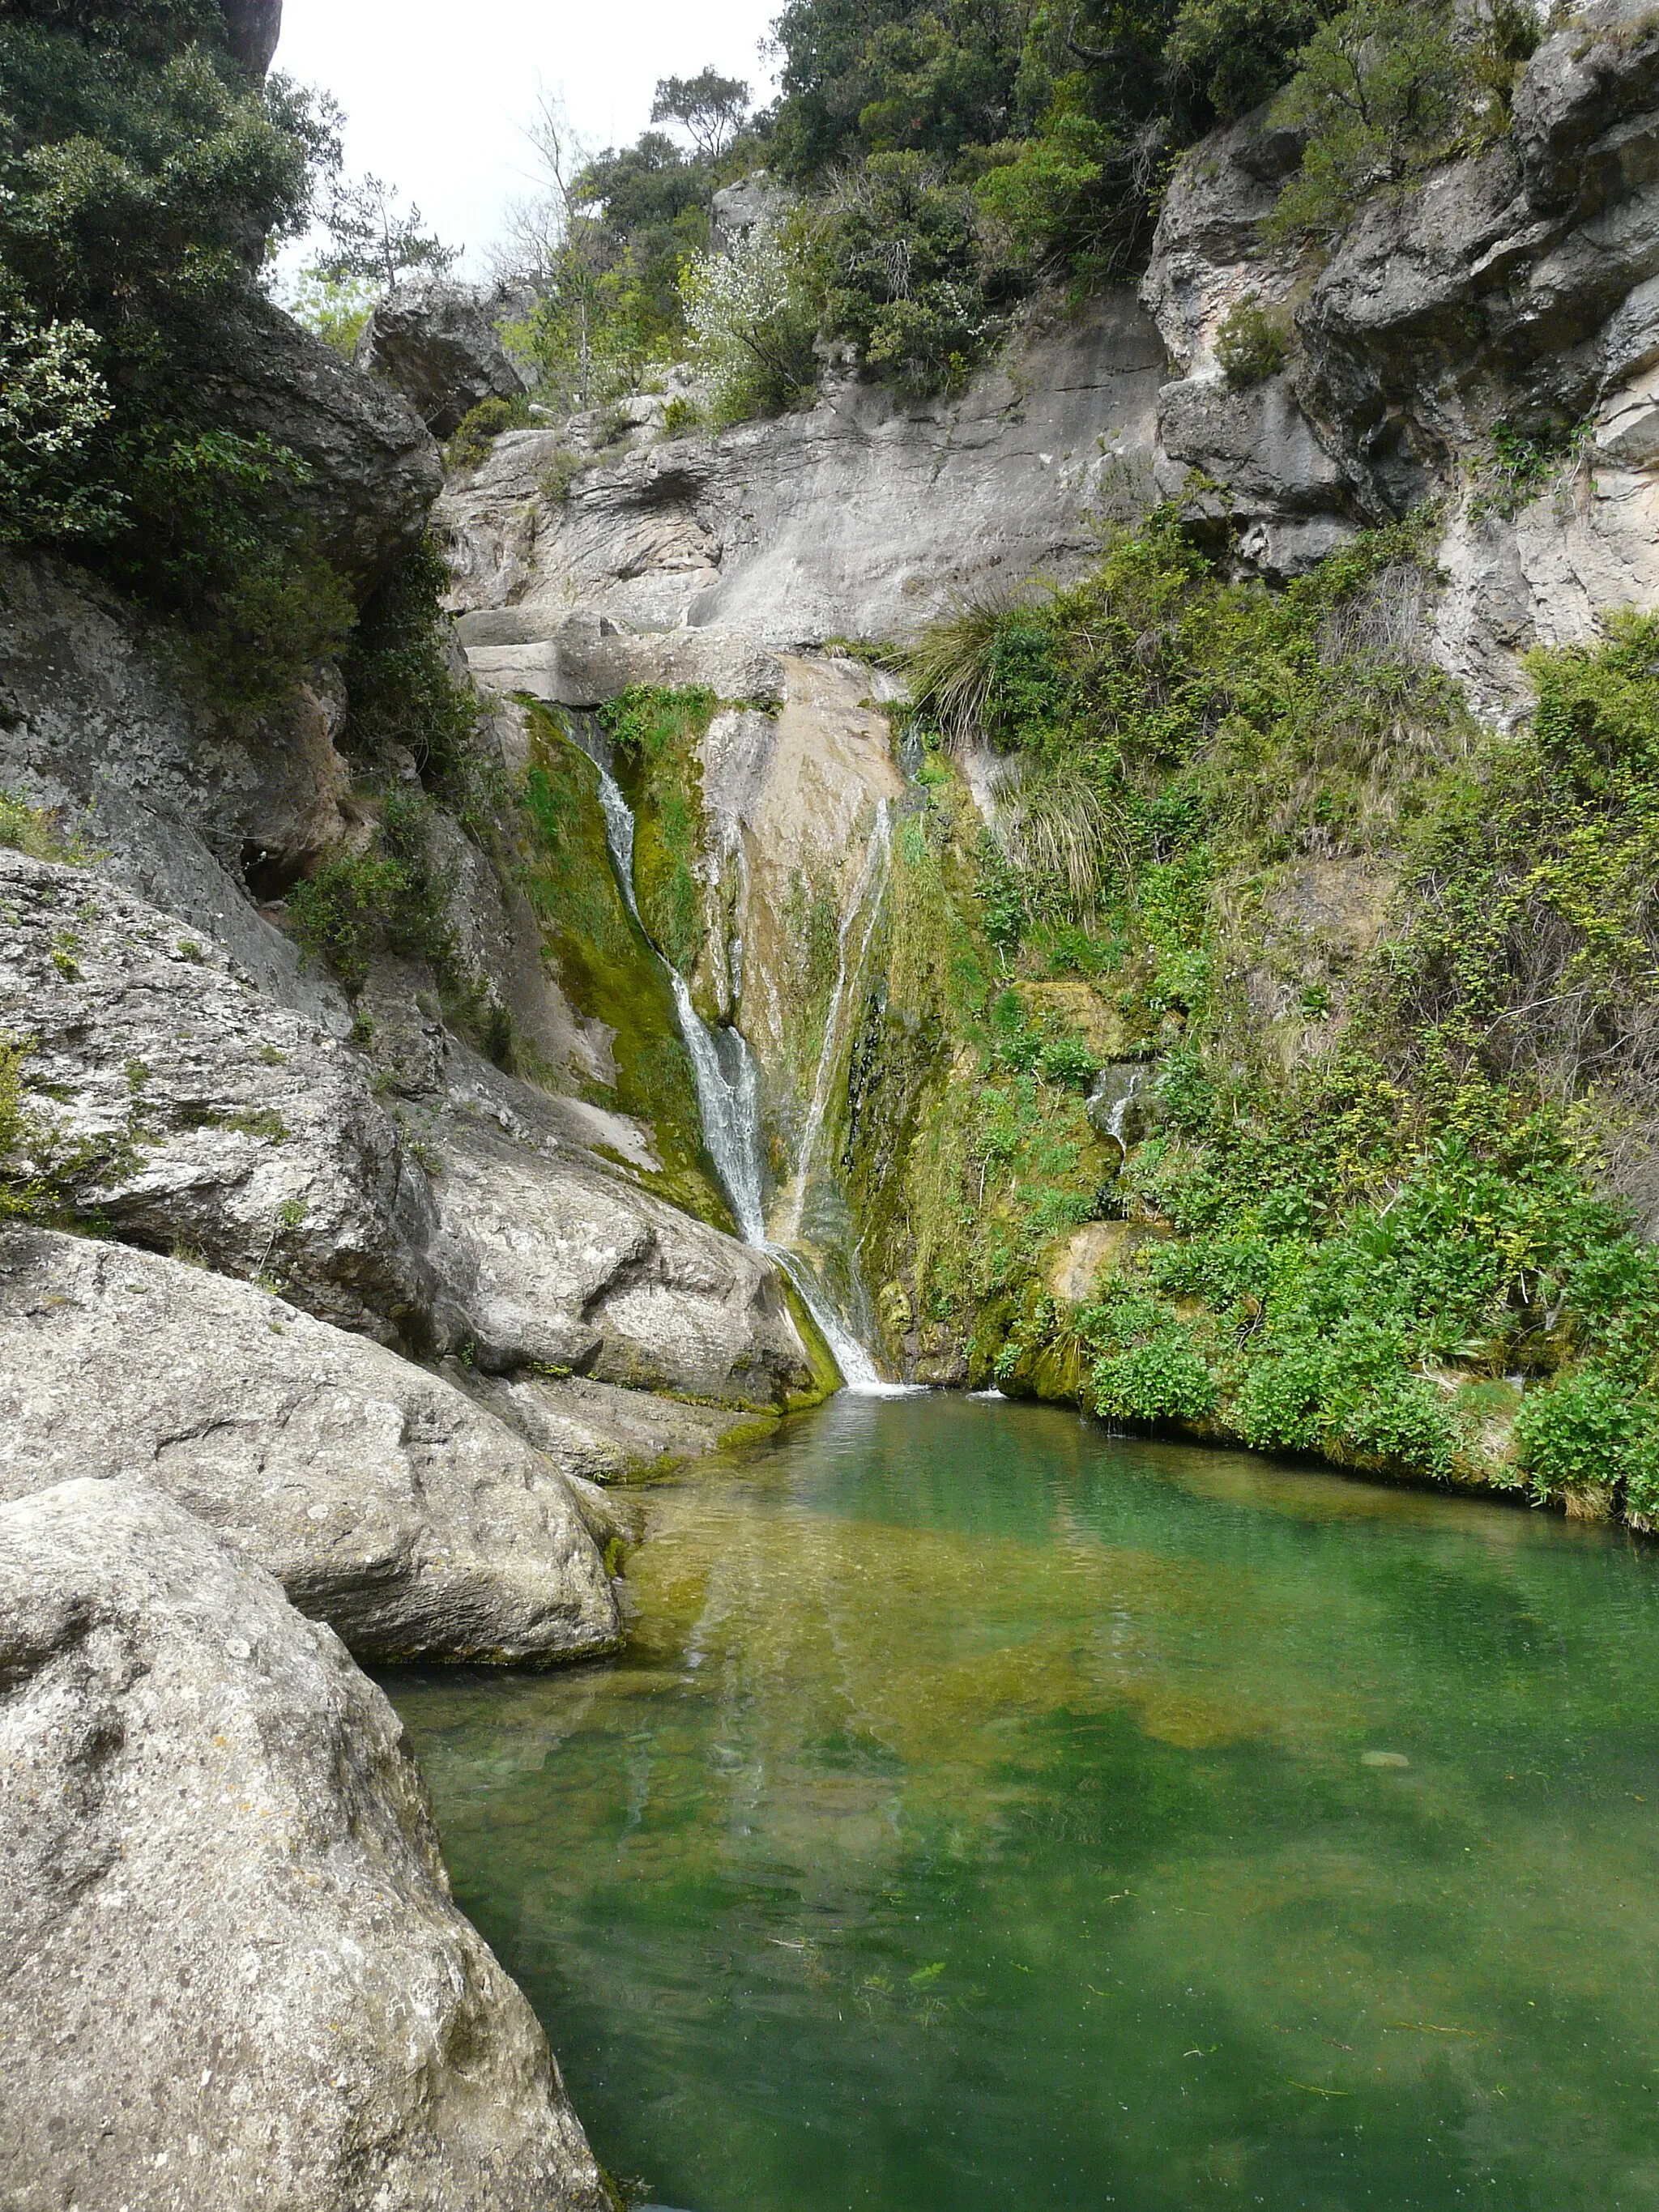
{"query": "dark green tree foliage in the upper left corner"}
(138, 180)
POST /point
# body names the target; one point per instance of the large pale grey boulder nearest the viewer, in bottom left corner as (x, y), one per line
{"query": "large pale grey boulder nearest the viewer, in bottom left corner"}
(231, 1972)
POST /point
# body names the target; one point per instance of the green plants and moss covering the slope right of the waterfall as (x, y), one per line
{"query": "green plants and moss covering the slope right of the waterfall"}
(1377, 985)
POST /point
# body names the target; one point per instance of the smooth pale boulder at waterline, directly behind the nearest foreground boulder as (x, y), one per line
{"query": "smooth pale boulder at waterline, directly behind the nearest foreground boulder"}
(386, 1503)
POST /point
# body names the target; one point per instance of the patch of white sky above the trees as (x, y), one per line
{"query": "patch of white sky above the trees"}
(437, 92)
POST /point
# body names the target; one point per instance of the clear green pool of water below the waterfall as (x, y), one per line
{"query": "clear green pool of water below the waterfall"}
(983, 1819)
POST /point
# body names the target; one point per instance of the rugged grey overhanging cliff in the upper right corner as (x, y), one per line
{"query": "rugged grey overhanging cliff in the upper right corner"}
(1514, 289)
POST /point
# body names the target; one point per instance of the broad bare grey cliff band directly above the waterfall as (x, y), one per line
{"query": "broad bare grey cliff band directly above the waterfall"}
(857, 519)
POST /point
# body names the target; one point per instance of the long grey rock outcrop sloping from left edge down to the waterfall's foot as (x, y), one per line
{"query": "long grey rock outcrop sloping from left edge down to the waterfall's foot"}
(189, 1112)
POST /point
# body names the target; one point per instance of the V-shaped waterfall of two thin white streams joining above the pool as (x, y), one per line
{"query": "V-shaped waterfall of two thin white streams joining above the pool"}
(729, 1094)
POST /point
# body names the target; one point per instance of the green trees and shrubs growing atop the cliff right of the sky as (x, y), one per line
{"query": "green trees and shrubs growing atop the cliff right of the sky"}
(943, 163)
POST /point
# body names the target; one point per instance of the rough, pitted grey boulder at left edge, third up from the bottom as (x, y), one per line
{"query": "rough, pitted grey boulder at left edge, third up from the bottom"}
(194, 1112)
